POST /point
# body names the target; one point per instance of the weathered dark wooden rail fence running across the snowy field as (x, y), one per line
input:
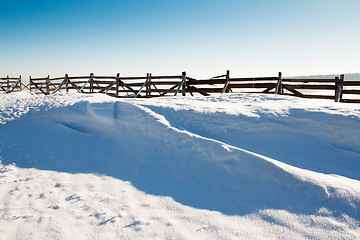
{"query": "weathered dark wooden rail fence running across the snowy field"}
(157, 86)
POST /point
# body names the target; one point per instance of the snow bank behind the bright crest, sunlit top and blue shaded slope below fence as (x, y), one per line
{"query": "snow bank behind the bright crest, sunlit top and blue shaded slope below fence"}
(317, 135)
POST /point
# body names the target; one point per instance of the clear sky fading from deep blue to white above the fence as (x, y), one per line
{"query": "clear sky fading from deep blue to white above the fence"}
(202, 37)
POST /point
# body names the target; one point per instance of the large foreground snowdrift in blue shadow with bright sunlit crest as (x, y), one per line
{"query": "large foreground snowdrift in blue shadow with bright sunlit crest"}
(133, 143)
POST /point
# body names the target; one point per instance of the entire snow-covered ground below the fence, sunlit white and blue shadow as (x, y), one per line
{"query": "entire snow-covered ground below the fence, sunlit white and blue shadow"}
(231, 166)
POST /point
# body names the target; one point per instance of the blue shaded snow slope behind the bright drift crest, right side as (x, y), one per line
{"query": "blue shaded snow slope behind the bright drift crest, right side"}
(317, 141)
